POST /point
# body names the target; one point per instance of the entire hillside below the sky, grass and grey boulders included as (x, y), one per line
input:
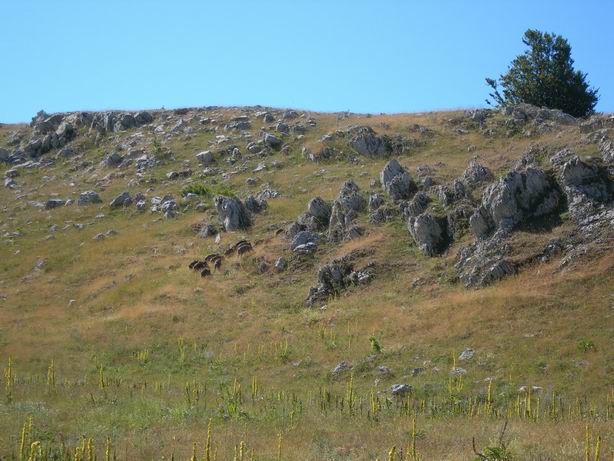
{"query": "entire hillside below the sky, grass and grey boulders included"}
(412, 319)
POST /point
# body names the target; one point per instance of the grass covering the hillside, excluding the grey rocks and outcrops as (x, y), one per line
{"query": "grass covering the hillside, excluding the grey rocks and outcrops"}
(116, 340)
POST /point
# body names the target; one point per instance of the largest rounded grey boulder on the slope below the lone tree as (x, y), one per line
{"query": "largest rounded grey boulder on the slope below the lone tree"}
(516, 197)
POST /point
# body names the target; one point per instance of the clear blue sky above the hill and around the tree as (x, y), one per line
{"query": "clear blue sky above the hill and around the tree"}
(364, 56)
